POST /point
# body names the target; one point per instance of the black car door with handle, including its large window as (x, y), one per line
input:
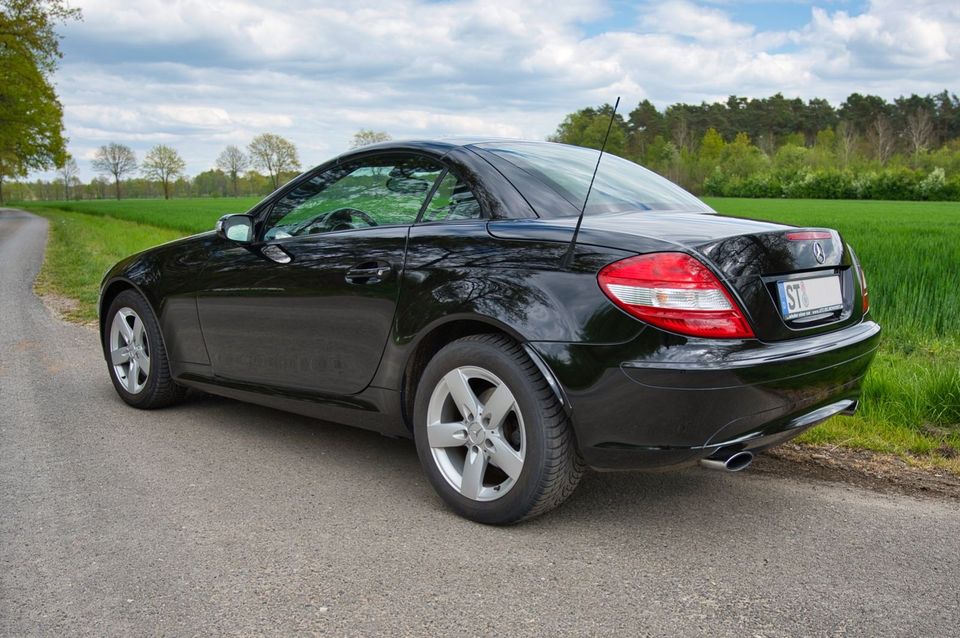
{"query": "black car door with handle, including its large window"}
(310, 306)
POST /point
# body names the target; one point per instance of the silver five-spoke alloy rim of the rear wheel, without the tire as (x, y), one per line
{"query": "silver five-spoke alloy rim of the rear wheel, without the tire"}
(476, 433)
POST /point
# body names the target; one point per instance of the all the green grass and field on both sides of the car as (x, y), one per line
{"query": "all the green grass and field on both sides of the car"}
(910, 252)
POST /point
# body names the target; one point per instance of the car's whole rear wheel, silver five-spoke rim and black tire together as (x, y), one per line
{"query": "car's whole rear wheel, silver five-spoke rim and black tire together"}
(493, 438)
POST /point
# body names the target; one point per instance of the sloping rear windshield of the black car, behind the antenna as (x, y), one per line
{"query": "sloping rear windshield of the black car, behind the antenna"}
(620, 185)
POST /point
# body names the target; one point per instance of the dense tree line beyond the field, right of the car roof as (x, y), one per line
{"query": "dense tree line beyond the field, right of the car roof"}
(868, 147)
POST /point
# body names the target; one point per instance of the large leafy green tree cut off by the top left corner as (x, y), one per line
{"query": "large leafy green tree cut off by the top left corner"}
(31, 118)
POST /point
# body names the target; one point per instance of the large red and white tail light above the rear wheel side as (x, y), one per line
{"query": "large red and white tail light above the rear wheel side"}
(675, 292)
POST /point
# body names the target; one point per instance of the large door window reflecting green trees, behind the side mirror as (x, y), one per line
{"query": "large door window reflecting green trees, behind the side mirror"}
(374, 192)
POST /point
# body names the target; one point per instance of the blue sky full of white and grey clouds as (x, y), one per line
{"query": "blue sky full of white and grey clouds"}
(202, 74)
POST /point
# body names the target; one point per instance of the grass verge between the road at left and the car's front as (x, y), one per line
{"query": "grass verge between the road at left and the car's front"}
(80, 250)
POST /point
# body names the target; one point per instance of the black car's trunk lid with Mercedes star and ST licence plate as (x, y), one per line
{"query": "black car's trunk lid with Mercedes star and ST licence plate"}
(768, 267)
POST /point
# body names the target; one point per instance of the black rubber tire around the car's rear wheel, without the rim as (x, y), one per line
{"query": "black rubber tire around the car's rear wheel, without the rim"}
(552, 466)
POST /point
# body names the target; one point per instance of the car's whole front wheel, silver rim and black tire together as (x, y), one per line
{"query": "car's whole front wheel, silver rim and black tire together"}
(136, 358)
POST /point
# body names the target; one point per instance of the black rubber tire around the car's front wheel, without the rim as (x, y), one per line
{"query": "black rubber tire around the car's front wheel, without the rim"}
(159, 389)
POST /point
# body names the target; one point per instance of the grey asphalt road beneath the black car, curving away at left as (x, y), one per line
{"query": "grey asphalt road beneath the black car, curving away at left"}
(219, 517)
